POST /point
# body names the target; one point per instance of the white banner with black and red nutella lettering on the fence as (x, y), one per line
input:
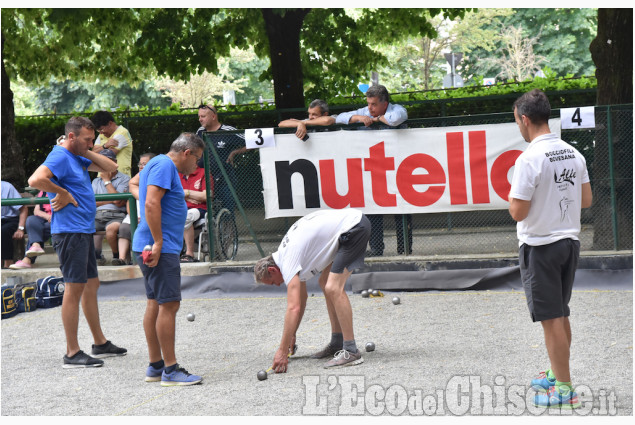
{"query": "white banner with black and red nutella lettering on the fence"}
(392, 171)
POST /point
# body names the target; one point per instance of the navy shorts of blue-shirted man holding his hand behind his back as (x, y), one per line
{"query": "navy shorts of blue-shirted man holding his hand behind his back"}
(163, 282)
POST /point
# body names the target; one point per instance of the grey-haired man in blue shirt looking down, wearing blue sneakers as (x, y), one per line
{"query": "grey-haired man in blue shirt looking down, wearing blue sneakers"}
(163, 212)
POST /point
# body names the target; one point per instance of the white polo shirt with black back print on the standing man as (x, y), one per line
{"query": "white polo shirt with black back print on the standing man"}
(550, 174)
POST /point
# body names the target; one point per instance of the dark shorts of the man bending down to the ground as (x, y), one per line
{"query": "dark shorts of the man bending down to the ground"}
(352, 249)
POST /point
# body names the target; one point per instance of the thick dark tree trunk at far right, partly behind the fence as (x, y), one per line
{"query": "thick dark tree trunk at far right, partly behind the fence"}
(612, 53)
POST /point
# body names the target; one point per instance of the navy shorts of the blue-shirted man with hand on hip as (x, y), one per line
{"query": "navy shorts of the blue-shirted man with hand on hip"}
(76, 253)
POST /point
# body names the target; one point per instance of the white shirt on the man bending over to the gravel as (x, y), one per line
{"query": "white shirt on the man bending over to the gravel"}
(311, 243)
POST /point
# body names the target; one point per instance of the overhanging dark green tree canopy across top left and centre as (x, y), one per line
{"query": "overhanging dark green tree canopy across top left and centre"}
(132, 44)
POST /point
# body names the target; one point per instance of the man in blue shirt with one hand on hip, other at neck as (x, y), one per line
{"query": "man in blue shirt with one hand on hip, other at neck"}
(64, 176)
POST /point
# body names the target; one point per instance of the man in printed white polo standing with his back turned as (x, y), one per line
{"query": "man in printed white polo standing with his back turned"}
(550, 186)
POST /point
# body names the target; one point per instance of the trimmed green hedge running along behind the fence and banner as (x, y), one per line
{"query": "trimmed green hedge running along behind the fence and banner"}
(154, 130)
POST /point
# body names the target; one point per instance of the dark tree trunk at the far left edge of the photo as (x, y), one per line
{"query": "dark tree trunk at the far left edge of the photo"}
(12, 160)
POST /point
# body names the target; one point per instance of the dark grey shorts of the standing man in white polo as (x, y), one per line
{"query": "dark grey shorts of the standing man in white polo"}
(547, 272)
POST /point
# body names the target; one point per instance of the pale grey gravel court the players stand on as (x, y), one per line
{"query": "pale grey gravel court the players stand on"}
(423, 345)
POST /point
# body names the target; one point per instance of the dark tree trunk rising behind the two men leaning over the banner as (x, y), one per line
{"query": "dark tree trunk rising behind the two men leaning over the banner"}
(283, 31)
